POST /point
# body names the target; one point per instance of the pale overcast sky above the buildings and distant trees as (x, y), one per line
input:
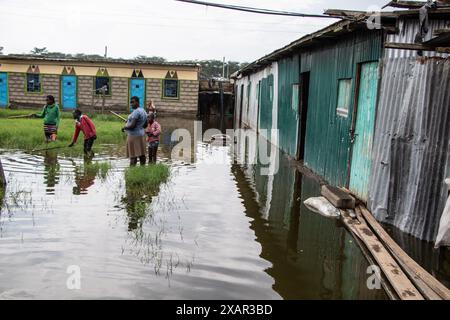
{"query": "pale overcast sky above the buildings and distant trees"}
(166, 28)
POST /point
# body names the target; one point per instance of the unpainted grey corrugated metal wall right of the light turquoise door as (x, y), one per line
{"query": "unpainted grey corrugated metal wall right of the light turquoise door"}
(411, 145)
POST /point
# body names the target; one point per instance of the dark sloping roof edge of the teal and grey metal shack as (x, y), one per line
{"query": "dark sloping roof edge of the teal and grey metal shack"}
(350, 21)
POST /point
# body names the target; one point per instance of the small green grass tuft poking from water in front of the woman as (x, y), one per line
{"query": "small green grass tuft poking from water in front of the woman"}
(146, 177)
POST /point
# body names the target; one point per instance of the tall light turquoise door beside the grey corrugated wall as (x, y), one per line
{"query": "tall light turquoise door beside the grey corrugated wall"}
(364, 127)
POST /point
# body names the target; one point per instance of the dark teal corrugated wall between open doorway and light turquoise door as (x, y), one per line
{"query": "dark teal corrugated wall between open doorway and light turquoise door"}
(327, 135)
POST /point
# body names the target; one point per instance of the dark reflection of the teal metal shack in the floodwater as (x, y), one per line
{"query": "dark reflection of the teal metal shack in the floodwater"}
(312, 257)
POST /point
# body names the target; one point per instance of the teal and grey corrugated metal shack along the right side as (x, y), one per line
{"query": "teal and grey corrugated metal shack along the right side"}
(364, 109)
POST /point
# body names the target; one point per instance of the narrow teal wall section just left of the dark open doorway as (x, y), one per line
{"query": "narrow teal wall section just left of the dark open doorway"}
(288, 116)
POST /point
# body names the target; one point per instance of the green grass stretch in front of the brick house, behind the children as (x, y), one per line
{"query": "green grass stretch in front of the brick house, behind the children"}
(28, 134)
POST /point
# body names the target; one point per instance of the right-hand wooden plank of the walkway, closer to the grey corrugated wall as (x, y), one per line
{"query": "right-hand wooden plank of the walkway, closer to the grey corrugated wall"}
(414, 270)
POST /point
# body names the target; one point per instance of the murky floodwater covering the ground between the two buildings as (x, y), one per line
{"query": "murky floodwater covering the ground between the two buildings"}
(215, 230)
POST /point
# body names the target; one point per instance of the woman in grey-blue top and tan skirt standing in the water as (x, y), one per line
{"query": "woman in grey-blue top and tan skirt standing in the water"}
(136, 123)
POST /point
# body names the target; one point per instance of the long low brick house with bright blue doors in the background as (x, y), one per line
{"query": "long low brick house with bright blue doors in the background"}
(97, 84)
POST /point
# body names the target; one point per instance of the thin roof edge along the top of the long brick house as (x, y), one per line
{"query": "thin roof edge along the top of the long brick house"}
(26, 57)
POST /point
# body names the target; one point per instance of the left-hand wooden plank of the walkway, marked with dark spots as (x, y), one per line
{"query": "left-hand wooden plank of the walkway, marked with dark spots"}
(399, 281)
